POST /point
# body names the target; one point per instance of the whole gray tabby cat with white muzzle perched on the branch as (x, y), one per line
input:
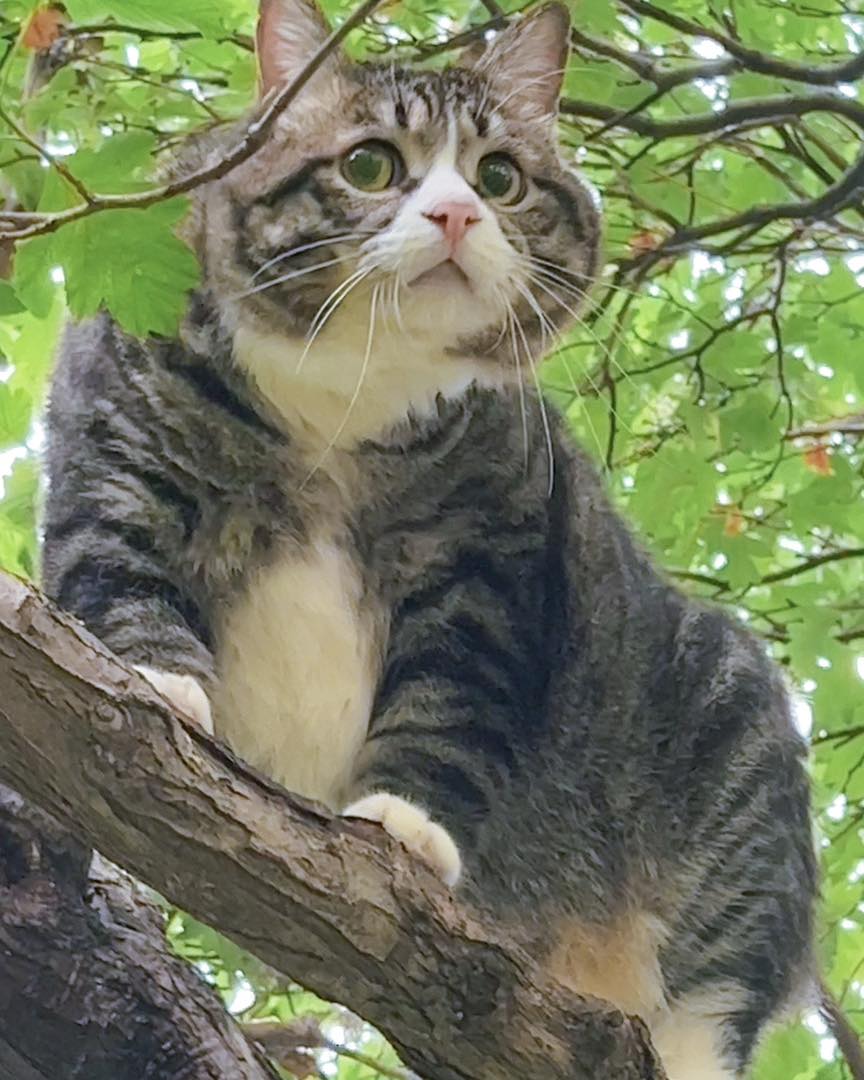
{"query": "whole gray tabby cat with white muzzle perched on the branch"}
(335, 521)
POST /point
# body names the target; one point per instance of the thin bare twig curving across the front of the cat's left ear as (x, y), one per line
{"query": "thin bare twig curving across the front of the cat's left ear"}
(253, 139)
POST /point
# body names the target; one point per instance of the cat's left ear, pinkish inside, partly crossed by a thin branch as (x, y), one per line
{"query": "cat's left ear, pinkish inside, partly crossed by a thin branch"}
(290, 33)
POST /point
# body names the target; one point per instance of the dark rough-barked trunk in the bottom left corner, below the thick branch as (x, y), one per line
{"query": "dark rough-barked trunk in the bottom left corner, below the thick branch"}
(88, 991)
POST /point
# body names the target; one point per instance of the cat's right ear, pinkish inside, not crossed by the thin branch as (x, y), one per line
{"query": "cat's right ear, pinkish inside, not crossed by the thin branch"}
(526, 62)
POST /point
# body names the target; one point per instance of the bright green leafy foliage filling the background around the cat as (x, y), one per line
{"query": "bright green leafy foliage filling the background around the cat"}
(719, 373)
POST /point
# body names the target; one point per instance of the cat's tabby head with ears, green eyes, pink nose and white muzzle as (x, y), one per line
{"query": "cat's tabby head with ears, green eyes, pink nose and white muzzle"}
(429, 204)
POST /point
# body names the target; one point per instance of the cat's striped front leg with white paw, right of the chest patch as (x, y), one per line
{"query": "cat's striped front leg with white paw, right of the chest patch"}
(449, 724)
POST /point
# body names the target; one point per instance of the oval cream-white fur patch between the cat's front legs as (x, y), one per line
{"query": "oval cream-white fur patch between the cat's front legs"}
(298, 664)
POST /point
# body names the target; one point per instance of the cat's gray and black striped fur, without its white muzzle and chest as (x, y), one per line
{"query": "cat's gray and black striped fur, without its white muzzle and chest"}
(615, 762)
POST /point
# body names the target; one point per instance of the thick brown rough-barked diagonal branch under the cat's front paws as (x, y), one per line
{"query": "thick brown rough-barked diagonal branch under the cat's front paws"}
(330, 902)
